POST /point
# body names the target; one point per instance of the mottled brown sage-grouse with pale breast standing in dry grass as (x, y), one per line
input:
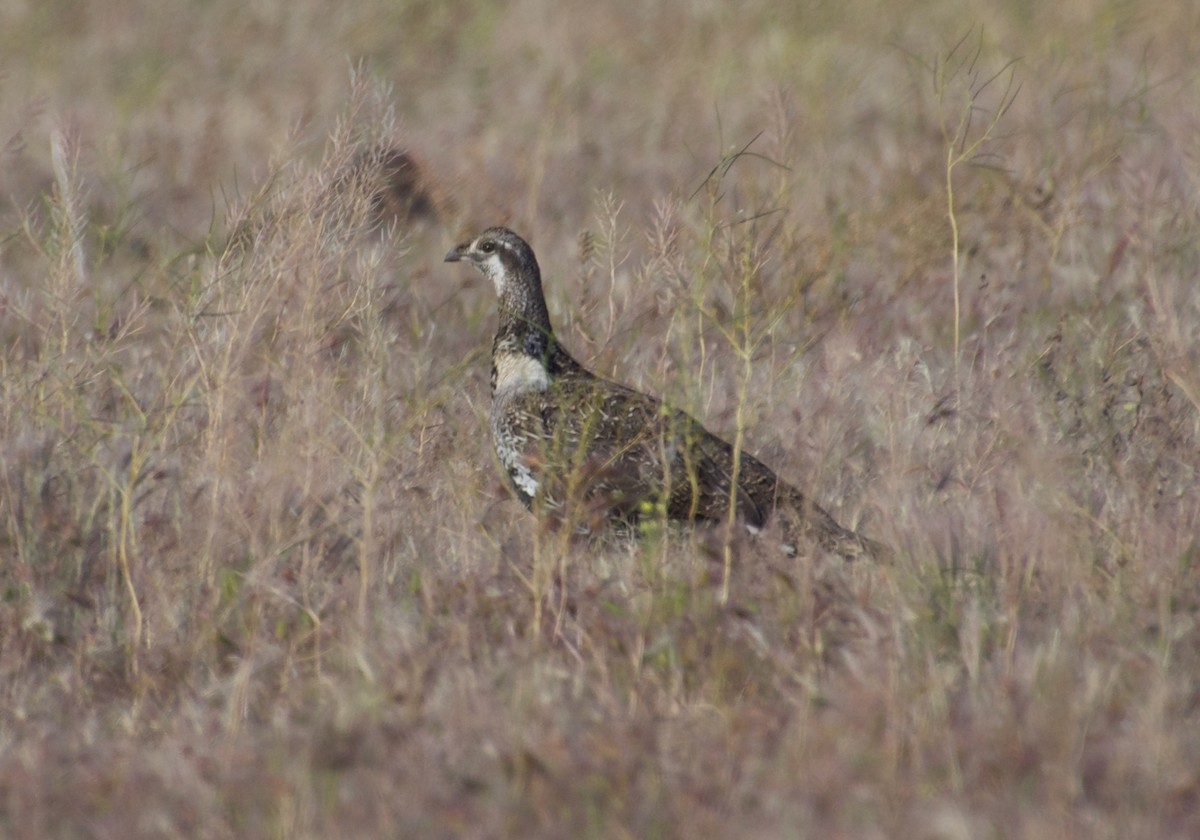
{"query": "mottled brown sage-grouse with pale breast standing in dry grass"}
(567, 436)
